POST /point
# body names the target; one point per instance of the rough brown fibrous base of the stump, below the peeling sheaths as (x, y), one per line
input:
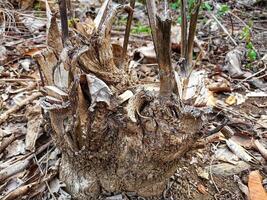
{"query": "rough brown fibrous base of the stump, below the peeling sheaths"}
(116, 154)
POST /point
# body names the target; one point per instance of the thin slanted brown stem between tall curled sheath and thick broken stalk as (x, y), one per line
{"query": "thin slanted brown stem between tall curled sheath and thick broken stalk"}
(128, 29)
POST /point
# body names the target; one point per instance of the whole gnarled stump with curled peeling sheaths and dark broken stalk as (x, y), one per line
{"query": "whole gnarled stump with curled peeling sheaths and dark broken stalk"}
(108, 145)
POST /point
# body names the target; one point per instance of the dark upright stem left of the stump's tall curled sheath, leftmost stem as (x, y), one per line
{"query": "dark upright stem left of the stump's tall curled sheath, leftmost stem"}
(64, 20)
